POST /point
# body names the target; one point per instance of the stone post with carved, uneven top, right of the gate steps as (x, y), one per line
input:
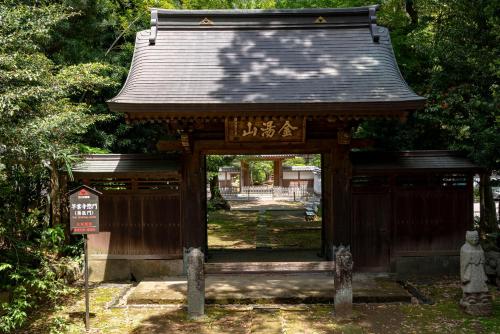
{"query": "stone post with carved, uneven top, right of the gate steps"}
(343, 282)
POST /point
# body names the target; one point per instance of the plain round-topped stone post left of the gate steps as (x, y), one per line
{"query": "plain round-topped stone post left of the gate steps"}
(196, 283)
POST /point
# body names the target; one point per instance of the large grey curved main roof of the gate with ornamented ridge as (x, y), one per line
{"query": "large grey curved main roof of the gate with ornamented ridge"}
(239, 60)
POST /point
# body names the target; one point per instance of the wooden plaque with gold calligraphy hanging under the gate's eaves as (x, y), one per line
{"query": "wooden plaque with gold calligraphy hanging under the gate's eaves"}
(259, 129)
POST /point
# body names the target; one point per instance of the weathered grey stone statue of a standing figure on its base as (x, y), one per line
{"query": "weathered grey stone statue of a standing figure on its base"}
(476, 299)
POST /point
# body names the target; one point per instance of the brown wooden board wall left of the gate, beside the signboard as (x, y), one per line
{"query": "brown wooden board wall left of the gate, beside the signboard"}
(144, 223)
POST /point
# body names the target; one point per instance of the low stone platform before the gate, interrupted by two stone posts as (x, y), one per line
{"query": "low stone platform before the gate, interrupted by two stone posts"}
(269, 289)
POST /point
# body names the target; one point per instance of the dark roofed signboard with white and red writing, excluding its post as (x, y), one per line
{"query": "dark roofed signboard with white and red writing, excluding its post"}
(84, 210)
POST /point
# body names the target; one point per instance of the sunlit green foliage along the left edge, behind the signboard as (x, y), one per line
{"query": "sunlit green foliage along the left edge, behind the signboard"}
(45, 109)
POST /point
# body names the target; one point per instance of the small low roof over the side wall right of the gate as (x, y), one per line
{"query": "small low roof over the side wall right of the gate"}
(385, 162)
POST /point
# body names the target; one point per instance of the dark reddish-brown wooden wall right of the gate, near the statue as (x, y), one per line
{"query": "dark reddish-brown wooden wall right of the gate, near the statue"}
(390, 220)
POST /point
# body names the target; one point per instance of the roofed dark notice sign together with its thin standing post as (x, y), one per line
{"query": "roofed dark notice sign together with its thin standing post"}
(84, 219)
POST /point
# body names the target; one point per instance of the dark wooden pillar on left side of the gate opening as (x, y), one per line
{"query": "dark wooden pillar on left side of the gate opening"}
(194, 200)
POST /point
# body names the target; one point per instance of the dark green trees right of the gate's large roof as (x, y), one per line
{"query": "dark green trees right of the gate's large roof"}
(450, 56)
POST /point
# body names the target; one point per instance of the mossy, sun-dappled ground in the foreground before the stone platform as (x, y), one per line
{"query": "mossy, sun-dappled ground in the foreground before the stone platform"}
(444, 316)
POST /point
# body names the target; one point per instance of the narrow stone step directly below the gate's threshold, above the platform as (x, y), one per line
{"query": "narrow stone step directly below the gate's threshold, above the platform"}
(268, 267)
